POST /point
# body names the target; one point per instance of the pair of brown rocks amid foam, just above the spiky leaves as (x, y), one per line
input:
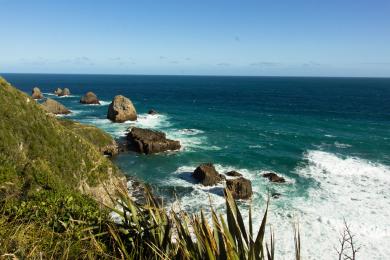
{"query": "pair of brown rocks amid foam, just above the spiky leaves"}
(240, 187)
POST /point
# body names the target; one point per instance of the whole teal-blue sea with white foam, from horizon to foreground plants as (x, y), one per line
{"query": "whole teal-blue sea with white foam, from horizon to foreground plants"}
(329, 137)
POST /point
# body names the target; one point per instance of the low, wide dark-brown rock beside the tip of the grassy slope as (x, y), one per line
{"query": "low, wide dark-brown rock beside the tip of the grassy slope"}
(148, 141)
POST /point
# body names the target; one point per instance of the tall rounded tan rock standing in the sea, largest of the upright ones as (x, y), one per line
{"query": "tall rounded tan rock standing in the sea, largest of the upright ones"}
(121, 109)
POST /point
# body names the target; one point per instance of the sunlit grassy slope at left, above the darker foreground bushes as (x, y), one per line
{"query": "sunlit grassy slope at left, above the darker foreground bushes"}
(37, 151)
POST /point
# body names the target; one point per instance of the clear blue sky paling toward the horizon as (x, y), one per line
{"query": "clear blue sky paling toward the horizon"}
(196, 37)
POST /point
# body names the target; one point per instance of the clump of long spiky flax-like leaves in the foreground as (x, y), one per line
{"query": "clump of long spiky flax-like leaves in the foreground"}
(150, 232)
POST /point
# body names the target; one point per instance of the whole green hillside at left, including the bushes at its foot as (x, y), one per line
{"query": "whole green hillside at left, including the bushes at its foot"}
(52, 173)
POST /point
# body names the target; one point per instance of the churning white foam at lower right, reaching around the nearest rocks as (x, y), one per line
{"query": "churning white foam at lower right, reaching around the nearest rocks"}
(347, 188)
